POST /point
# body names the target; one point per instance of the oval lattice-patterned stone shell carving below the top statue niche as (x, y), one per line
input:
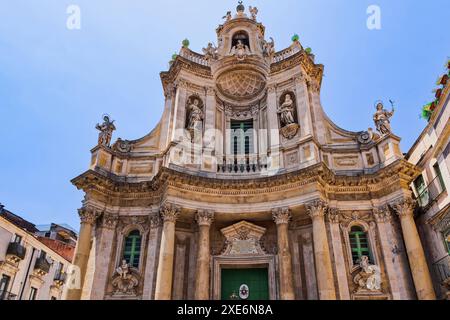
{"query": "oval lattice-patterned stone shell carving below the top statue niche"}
(239, 84)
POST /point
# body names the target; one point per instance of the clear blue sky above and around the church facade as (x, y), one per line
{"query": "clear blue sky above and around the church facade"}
(56, 83)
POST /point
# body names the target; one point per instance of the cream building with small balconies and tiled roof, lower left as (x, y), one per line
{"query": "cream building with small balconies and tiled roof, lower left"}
(33, 262)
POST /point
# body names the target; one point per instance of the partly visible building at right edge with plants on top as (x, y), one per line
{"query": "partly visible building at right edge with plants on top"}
(430, 153)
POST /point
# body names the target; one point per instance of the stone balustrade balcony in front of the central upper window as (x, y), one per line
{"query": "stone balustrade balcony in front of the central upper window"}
(241, 164)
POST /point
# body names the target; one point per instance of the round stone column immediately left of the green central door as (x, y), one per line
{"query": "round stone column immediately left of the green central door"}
(204, 220)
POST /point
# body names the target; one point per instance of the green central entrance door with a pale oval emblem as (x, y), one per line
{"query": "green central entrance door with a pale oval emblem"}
(256, 280)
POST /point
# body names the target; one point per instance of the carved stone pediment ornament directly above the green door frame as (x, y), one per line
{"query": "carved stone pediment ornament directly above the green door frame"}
(243, 238)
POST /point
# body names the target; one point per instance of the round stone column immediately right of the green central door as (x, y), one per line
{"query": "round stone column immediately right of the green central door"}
(281, 218)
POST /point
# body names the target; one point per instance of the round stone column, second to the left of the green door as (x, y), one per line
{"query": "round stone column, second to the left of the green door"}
(163, 290)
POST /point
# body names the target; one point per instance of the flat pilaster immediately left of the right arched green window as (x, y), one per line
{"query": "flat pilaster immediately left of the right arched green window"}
(341, 271)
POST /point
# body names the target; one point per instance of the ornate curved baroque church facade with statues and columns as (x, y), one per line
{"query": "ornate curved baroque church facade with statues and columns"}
(247, 190)
